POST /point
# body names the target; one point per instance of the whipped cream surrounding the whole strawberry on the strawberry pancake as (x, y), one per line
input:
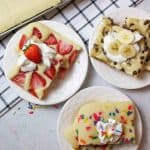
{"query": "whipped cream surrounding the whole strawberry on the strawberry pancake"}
(47, 55)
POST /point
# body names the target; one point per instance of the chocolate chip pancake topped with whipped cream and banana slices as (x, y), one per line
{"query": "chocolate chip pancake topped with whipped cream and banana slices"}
(120, 47)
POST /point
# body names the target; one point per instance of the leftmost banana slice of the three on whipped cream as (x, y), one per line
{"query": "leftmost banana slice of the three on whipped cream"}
(113, 47)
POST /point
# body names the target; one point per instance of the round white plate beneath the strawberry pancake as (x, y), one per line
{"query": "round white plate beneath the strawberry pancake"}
(61, 90)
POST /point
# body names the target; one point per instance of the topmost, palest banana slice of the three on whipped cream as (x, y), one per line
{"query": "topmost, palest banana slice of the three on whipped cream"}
(125, 36)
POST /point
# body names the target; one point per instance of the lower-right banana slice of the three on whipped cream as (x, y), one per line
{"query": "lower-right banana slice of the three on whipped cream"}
(127, 51)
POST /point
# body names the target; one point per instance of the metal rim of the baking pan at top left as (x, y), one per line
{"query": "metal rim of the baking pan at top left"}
(61, 4)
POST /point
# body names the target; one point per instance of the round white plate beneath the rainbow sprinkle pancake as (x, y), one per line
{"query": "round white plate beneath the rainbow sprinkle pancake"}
(70, 109)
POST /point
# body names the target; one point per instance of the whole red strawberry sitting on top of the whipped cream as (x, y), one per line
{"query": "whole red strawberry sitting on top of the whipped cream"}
(33, 53)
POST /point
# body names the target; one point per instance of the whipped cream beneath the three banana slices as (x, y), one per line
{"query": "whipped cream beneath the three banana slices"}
(113, 36)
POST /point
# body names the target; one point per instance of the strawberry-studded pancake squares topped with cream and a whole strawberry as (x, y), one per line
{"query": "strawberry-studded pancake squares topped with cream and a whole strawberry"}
(42, 53)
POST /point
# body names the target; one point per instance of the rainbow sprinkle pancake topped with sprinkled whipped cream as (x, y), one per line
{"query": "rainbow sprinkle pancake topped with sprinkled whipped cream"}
(102, 123)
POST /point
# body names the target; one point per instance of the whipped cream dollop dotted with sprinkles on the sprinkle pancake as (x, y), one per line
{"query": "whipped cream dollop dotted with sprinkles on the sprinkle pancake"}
(110, 131)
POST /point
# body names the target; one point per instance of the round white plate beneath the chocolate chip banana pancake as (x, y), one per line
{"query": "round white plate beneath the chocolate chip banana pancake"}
(113, 76)
